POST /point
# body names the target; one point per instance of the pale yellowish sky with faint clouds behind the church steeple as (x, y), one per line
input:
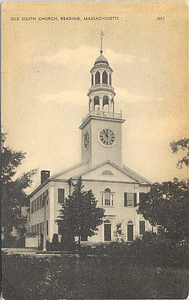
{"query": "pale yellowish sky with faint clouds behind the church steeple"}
(46, 76)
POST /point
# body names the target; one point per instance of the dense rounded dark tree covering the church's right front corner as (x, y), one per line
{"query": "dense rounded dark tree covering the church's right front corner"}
(167, 205)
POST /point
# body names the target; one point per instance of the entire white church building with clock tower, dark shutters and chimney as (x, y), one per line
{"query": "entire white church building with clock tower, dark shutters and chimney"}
(116, 187)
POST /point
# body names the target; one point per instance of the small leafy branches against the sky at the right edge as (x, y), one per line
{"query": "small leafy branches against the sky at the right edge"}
(182, 144)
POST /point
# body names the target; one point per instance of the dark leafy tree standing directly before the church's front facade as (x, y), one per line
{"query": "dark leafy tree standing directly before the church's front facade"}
(80, 215)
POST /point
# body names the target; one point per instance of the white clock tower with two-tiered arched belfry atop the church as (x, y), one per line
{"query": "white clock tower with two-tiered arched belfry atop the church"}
(102, 127)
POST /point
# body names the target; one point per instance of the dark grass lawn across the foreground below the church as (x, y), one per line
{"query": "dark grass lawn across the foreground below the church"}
(26, 277)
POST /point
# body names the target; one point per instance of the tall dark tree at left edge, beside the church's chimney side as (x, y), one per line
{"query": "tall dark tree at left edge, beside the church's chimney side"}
(13, 190)
